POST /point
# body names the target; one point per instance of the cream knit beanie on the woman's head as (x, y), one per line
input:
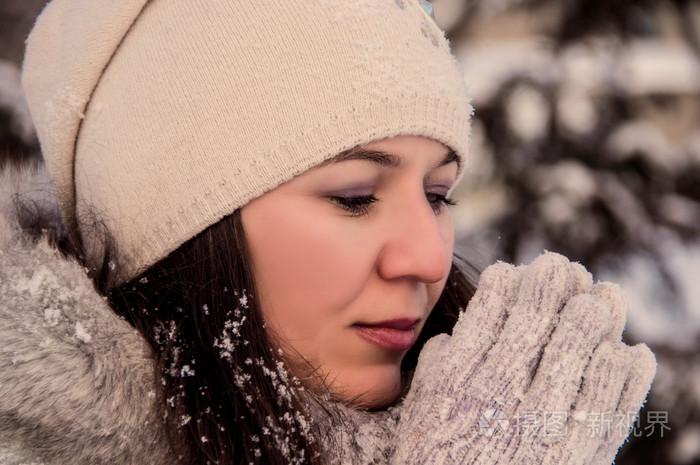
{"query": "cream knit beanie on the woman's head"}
(161, 117)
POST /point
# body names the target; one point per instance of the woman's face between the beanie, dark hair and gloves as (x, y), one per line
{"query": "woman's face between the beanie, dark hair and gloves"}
(350, 257)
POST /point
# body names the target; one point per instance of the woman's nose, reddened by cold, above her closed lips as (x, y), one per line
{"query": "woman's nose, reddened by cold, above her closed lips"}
(418, 245)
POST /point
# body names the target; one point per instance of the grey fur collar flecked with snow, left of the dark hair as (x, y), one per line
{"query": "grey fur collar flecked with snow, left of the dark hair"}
(76, 381)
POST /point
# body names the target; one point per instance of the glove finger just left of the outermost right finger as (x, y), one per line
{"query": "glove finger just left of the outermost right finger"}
(593, 416)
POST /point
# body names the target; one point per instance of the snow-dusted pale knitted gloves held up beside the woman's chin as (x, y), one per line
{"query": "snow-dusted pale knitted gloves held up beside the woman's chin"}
(534, 358)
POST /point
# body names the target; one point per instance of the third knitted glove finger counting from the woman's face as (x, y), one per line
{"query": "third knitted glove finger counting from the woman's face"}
(557, 380)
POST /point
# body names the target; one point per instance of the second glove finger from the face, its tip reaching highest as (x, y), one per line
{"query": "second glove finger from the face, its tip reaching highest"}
(547, 285)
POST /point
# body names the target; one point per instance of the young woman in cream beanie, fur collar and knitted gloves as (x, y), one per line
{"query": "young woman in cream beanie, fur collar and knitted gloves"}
(258, 194)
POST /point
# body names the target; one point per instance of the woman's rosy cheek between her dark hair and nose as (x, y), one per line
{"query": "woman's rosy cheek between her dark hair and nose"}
(306, 267)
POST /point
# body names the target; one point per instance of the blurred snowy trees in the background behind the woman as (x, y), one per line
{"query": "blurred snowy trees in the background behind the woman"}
(586, 141)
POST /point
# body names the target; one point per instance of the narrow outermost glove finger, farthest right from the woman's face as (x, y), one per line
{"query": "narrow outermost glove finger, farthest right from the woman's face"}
(643, 369)
